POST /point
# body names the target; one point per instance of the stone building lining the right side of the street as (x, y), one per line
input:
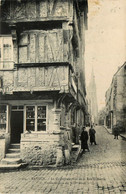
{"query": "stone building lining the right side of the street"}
(116, 100)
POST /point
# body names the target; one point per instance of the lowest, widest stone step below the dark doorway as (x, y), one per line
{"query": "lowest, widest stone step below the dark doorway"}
(4, 167)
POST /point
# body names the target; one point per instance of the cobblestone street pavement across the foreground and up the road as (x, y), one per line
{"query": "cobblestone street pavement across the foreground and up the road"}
(100, 171)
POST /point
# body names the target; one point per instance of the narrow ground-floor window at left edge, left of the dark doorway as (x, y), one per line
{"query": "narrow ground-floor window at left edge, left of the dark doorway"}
(2, 117)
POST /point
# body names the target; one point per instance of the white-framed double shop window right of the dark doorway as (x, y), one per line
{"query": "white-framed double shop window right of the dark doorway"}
(36, 118)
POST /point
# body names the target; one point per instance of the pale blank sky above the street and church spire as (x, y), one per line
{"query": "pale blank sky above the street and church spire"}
(105, 42)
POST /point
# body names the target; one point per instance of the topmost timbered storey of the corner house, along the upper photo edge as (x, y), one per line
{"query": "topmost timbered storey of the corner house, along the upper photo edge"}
(20, 10)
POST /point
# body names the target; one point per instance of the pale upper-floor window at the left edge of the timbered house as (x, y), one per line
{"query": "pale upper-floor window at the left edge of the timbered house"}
(6, 52)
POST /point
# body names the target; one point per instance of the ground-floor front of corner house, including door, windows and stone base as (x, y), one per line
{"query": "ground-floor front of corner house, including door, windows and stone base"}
(35, 125)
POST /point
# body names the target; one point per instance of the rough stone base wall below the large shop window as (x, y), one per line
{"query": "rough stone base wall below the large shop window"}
(44, 149)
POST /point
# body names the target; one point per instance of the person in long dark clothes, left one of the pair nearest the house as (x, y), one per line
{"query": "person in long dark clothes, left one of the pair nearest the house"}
(84, 140)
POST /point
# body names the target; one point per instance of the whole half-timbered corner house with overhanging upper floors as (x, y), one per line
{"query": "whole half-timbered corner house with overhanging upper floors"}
(42, 78)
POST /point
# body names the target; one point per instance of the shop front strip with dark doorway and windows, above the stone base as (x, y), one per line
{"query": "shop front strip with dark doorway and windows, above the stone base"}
(26, 116)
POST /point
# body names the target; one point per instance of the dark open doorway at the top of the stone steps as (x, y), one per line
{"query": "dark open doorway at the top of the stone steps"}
(16, 126)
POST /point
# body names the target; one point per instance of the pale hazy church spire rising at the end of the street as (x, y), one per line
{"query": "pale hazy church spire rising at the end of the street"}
(92, 99)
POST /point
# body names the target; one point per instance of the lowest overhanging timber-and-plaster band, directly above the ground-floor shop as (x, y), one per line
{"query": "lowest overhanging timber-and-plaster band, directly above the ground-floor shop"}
(39, 77)
